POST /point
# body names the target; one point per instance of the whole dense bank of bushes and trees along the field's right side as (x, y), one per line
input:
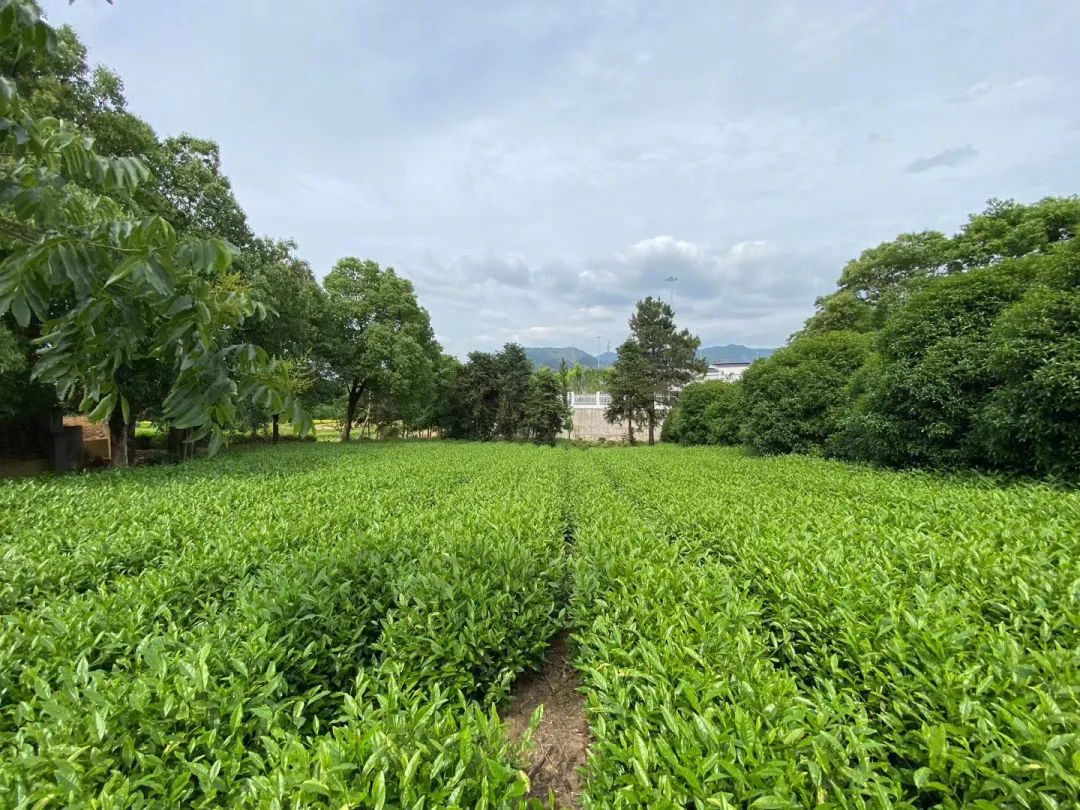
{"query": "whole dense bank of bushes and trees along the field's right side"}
(935, 353)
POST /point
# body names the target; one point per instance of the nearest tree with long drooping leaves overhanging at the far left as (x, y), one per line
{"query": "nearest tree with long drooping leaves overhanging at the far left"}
(107, 292)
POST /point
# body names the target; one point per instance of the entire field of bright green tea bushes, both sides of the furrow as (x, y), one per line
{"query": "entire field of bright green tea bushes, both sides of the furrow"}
(325, 626)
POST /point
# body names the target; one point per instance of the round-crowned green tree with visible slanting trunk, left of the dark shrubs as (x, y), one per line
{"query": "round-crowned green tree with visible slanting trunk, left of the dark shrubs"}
(377, 340)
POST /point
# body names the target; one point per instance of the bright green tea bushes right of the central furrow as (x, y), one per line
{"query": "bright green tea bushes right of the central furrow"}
(792, 632)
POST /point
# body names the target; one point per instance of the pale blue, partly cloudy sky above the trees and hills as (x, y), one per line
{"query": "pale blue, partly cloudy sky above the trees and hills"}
(535, 169)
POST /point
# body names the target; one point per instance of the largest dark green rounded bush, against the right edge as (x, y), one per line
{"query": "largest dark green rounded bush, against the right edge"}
(980, 370)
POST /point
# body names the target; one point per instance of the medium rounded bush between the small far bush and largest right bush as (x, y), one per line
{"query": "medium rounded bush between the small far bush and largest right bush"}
(798, 400)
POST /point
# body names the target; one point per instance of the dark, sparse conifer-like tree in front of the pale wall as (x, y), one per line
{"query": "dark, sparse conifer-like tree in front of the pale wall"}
(670, 357)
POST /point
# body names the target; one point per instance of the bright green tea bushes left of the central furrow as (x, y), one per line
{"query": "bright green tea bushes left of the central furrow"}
(158, 652)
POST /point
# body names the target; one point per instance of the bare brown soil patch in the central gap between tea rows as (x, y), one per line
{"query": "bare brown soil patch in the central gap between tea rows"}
(560, 746)
